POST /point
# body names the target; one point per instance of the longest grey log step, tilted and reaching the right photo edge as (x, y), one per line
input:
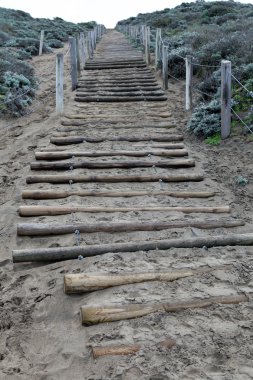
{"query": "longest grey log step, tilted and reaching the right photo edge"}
(70, 253)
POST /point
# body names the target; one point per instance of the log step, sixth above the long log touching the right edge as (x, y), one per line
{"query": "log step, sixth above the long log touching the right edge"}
(63, 155)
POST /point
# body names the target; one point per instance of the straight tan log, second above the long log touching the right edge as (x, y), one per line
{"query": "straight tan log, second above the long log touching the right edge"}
(64, 210)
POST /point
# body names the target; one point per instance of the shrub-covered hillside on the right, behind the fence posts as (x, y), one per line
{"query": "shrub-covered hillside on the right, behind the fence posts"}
(210, 32)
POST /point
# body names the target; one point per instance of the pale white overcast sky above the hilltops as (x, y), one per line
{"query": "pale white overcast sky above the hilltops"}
(106, 12)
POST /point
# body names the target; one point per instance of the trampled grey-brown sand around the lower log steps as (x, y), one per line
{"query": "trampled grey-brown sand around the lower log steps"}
(41, 334)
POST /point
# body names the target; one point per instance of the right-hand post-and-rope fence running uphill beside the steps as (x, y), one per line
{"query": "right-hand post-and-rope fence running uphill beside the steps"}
(162, 60)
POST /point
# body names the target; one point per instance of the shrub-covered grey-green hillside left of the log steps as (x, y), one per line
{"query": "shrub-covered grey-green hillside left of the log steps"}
(19, 41)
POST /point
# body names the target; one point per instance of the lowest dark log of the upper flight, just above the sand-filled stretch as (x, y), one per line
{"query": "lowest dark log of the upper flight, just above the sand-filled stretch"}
(120, 99)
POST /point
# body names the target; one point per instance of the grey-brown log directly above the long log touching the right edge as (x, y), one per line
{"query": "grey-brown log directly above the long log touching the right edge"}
(45, 229)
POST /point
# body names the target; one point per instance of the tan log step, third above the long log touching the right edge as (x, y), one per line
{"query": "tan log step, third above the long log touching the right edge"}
(51, 194)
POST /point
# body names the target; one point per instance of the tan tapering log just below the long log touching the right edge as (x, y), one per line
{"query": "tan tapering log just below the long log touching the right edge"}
(81, 282)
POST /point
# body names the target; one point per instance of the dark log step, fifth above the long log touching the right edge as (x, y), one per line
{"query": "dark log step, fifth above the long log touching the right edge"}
(70, 165)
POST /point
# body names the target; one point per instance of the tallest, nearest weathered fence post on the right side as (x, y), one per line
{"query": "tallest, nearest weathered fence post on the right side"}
(225, 98)
